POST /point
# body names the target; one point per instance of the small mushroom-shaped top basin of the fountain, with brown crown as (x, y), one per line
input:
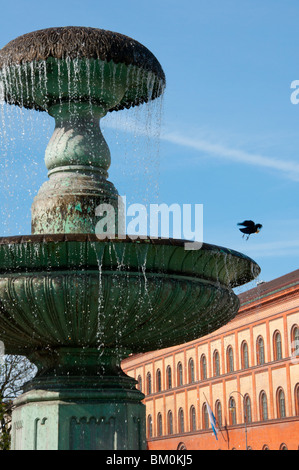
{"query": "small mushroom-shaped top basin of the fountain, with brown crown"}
(54, 65)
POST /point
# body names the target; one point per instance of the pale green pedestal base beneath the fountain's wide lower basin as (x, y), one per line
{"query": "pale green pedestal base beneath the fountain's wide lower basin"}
(79, 412)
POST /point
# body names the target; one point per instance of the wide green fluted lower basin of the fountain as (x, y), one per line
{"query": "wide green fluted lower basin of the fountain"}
(74, 291)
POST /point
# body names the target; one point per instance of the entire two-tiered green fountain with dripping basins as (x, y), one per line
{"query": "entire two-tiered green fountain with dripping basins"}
(76, 305)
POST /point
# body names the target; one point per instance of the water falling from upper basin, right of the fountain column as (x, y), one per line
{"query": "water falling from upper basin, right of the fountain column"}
(134, 139)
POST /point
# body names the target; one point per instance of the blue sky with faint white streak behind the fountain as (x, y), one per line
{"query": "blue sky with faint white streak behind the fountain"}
(229, 136)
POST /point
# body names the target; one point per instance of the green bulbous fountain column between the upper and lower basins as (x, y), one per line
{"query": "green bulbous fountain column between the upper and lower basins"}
(78, 159)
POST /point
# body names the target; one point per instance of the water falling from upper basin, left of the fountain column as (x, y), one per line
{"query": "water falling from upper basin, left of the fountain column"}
(23, 137)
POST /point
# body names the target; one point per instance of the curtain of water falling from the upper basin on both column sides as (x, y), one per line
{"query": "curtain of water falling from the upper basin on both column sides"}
(133, 135)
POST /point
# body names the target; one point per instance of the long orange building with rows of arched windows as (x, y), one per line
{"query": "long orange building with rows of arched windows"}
(247, 372)
